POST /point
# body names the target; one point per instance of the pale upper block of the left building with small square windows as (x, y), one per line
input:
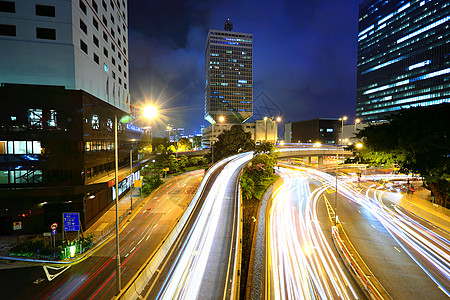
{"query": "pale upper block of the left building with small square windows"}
(78, 44)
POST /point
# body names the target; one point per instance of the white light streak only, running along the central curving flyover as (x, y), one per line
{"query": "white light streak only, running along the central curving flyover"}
(186, 274)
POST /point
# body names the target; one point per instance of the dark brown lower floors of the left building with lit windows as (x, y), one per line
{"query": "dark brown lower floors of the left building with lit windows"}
(57, 155)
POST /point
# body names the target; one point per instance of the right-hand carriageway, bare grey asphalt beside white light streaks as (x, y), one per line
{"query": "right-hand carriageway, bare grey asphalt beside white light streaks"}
(379, 238)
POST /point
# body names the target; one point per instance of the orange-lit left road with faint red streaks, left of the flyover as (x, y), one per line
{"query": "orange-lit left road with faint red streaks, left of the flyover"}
(94, 277)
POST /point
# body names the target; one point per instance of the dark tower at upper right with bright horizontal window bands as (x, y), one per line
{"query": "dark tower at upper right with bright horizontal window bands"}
(403, 56)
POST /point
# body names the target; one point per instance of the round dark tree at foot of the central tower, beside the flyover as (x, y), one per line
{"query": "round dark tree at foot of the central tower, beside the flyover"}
(233, 141)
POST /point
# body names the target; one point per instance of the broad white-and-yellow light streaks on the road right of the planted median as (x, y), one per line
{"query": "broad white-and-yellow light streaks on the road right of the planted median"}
(301, 262)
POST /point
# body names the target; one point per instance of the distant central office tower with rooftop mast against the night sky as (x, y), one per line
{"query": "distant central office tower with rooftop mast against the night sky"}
(229, 75)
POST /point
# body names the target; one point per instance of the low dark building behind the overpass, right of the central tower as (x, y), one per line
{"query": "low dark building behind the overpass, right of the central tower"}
(325, 131)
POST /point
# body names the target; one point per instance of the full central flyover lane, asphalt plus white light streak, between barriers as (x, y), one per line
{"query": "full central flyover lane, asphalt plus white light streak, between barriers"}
(200, 264)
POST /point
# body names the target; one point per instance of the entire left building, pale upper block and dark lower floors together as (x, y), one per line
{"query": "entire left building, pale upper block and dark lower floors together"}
(63, 79)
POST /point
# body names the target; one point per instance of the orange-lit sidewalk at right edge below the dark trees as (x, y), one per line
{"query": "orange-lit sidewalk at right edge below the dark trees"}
(419, 203)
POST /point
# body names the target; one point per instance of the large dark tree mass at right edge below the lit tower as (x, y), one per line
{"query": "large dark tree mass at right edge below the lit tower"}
(418, 139)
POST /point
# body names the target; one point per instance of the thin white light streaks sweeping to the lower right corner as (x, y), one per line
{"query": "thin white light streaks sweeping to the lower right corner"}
(427, 248)
